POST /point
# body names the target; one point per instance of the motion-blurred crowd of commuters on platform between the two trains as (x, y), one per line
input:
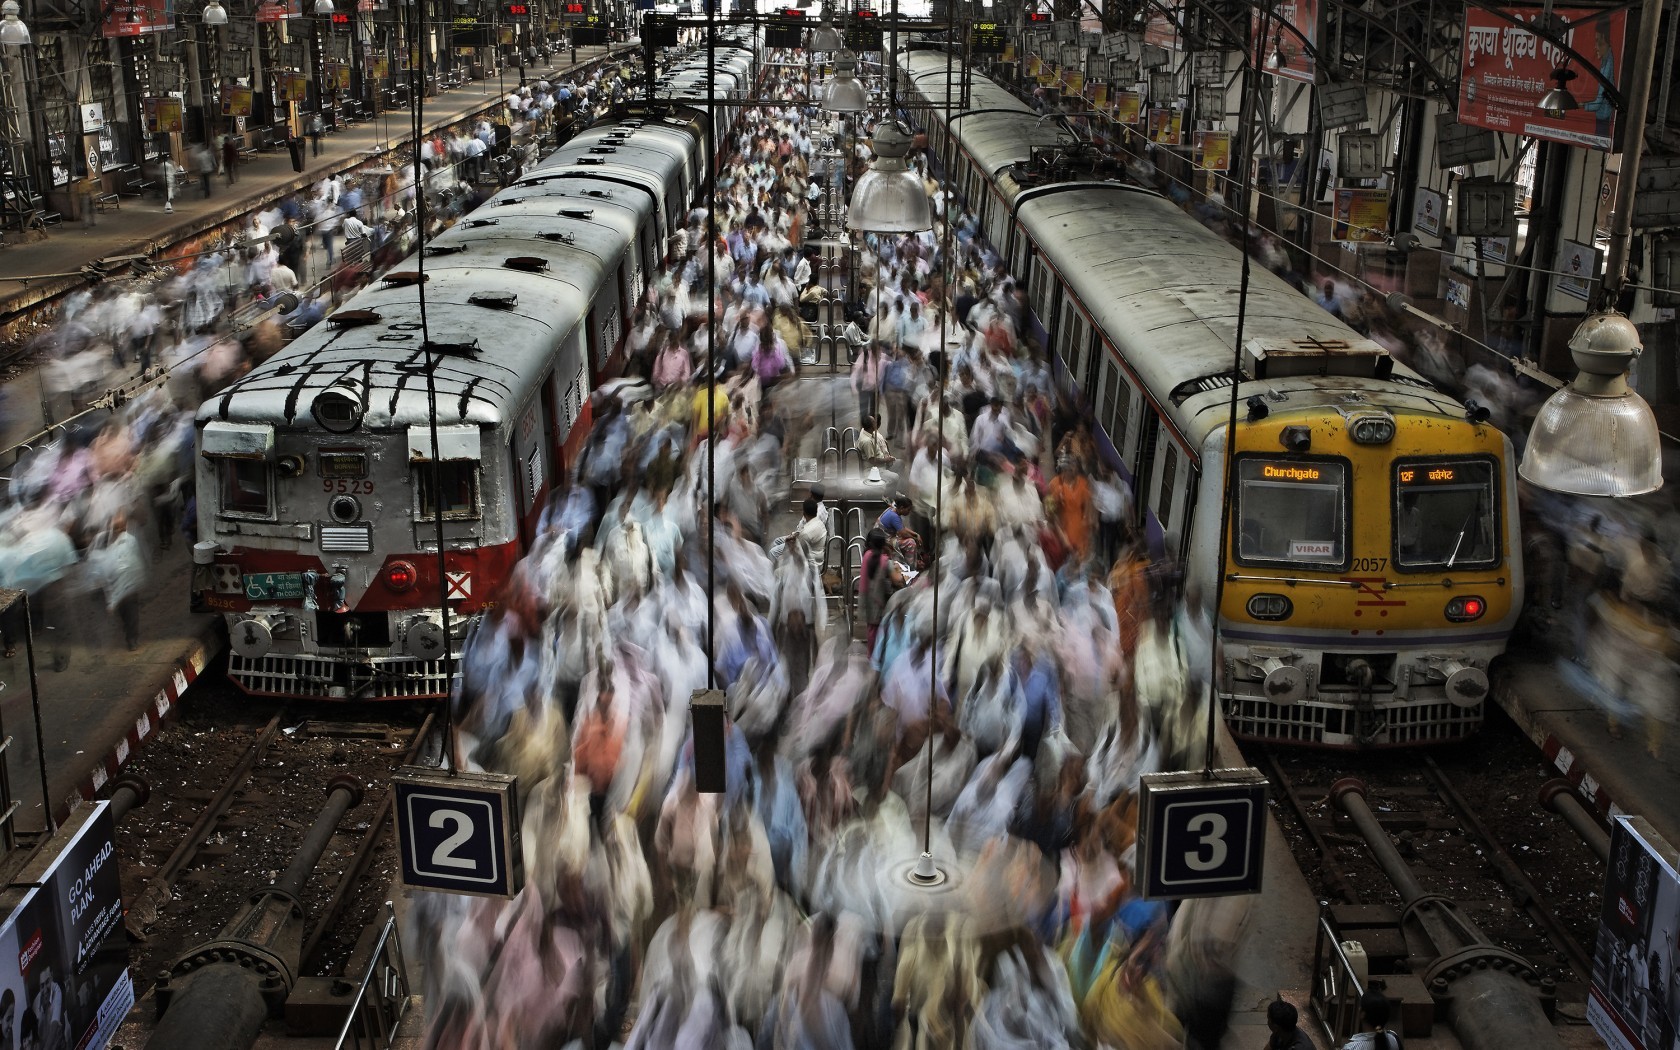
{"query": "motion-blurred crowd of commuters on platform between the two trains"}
(1044, 659)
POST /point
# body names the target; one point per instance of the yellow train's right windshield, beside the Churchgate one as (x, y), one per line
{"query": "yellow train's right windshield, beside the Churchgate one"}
(1446, 515)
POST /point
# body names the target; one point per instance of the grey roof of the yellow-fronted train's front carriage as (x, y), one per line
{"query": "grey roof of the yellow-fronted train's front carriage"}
(1167, 291)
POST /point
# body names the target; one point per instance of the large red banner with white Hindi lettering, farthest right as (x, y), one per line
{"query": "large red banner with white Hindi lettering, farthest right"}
(1506, 70)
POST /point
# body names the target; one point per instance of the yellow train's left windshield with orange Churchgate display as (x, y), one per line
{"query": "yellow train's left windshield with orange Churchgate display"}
(1293, 512)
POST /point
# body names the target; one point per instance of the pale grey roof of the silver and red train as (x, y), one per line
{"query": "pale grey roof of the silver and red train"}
(503, 290)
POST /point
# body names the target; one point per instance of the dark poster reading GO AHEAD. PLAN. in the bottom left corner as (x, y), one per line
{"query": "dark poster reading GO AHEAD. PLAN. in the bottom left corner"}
(63, 953)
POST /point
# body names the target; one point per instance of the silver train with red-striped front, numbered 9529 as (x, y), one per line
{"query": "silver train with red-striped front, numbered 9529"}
(318, 500)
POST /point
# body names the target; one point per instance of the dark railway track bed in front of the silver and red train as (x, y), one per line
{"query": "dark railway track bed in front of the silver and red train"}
(233, 795)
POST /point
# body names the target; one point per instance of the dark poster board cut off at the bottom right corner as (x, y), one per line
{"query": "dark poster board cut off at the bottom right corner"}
(1634, 965)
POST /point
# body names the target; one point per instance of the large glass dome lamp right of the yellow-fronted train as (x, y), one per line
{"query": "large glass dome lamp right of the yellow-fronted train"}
(1597, 438)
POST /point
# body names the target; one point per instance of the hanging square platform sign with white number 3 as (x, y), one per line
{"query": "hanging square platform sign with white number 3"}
(1202, 836)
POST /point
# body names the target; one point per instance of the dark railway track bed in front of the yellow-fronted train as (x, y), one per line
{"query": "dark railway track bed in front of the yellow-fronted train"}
(1467, 822)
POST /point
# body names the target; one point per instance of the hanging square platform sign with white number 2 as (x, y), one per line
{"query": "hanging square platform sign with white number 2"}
(459, 832)
